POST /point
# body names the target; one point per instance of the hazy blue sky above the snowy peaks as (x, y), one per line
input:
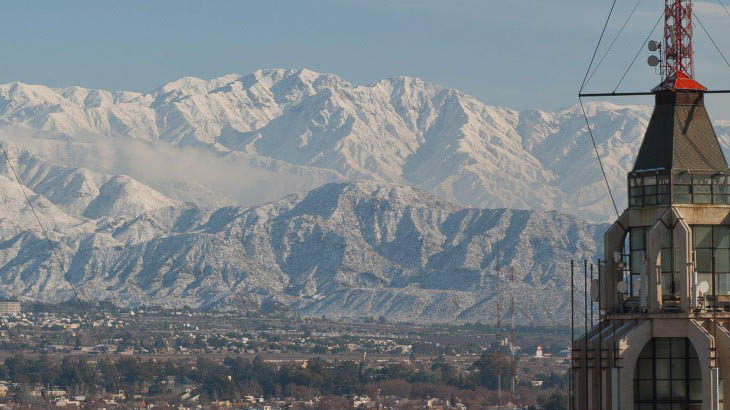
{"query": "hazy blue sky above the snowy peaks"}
(517, 53)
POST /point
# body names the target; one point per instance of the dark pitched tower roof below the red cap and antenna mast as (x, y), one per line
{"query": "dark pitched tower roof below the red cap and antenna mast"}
(680, 136)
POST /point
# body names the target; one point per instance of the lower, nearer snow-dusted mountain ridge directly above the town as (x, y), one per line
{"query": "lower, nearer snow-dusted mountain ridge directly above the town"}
(343, 250)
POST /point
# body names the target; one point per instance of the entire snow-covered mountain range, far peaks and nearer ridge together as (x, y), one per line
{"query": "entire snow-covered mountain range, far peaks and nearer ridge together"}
(299, 188)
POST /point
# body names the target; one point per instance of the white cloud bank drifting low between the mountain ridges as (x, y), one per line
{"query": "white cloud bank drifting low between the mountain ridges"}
(172, 170)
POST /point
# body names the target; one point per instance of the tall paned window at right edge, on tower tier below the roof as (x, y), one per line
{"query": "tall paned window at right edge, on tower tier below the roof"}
(712, 247)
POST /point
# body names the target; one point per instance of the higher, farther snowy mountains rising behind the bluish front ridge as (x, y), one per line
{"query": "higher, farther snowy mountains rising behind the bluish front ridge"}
(302, 129)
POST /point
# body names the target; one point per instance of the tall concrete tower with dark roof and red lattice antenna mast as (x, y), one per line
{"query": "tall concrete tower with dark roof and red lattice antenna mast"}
(663, 341)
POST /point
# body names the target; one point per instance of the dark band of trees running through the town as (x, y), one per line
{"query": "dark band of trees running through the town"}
(235, 377)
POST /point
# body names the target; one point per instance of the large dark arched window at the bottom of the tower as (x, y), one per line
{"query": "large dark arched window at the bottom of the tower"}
(668, 376)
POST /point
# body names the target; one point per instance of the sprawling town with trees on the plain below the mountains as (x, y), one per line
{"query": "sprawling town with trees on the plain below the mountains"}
(102, 357)
